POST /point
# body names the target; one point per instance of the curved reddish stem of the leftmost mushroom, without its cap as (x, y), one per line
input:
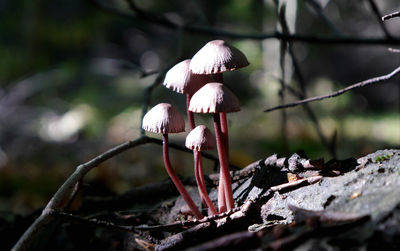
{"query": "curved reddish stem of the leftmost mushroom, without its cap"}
(182, 190)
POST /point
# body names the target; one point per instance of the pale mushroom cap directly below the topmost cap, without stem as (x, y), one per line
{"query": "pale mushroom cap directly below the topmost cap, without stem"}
(214, 98)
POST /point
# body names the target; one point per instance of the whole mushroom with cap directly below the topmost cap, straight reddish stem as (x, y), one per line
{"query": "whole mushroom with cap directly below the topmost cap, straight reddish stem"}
(216, 98)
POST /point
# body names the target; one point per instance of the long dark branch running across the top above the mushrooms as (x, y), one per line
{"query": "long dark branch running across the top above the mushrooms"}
(210, 31)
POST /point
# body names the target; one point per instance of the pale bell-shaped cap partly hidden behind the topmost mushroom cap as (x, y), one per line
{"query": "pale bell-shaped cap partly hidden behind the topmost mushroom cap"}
(180, 79)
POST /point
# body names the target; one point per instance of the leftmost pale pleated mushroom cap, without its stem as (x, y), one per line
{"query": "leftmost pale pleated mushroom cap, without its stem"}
(163, 118)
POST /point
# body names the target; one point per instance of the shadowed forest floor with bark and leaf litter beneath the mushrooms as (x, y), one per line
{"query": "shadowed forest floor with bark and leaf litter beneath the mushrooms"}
(282, 204)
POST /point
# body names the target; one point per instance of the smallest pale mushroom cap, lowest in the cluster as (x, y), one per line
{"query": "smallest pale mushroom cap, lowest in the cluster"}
(200, 139)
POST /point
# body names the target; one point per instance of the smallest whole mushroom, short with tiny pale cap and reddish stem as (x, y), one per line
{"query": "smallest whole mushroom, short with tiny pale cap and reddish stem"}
(200, 139)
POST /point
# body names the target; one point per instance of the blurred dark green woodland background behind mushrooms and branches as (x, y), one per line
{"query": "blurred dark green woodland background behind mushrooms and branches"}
(73, 76)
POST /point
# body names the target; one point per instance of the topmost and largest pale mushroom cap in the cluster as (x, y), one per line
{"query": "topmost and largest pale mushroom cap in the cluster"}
(217, 56)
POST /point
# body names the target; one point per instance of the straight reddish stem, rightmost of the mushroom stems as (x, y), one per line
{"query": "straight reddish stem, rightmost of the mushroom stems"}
(225, 178)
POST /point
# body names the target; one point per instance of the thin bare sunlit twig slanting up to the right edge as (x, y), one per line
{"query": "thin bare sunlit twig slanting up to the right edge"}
(340, 92)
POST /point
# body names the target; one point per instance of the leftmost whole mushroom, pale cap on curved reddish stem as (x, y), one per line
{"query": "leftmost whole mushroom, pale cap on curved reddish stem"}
(164, 118)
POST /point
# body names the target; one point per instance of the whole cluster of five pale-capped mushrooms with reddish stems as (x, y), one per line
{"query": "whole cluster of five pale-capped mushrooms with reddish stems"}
(194, 77)
